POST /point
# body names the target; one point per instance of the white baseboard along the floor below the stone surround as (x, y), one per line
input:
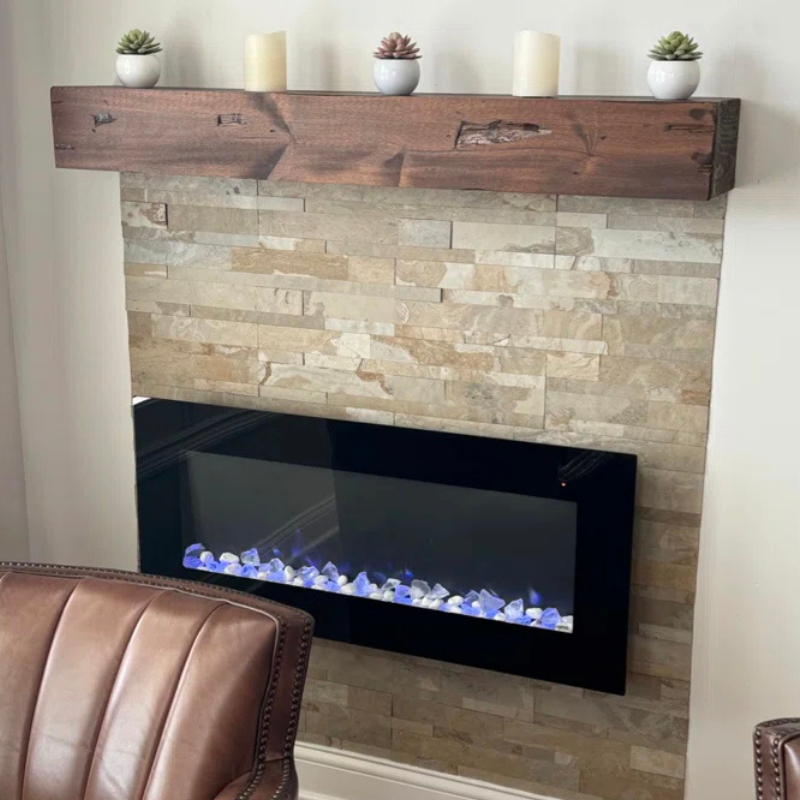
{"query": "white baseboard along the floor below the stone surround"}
(329, 774)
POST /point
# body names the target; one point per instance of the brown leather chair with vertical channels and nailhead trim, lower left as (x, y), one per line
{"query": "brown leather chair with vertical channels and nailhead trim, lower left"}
(117, 686)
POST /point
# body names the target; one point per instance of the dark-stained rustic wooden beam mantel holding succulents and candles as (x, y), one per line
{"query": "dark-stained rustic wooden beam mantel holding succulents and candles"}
(627, 147)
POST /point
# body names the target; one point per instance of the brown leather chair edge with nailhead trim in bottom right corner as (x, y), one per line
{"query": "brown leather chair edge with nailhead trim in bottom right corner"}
(777, 759)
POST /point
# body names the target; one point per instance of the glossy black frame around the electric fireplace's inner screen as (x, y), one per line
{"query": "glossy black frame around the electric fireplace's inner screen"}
(602, 484)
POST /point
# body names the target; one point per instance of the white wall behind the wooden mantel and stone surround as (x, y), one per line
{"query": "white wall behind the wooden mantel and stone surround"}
(66, 282)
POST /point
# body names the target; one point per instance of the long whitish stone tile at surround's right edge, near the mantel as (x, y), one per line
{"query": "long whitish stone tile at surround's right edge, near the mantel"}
(650, 245)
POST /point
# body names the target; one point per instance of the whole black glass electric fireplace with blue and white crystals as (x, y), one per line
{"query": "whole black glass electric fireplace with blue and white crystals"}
(498, 554)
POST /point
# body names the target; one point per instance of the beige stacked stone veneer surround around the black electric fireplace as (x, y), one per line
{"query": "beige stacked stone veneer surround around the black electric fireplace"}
(572, 320)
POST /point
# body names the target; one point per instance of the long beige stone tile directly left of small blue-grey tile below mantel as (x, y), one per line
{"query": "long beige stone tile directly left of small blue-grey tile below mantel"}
(324, 226)
